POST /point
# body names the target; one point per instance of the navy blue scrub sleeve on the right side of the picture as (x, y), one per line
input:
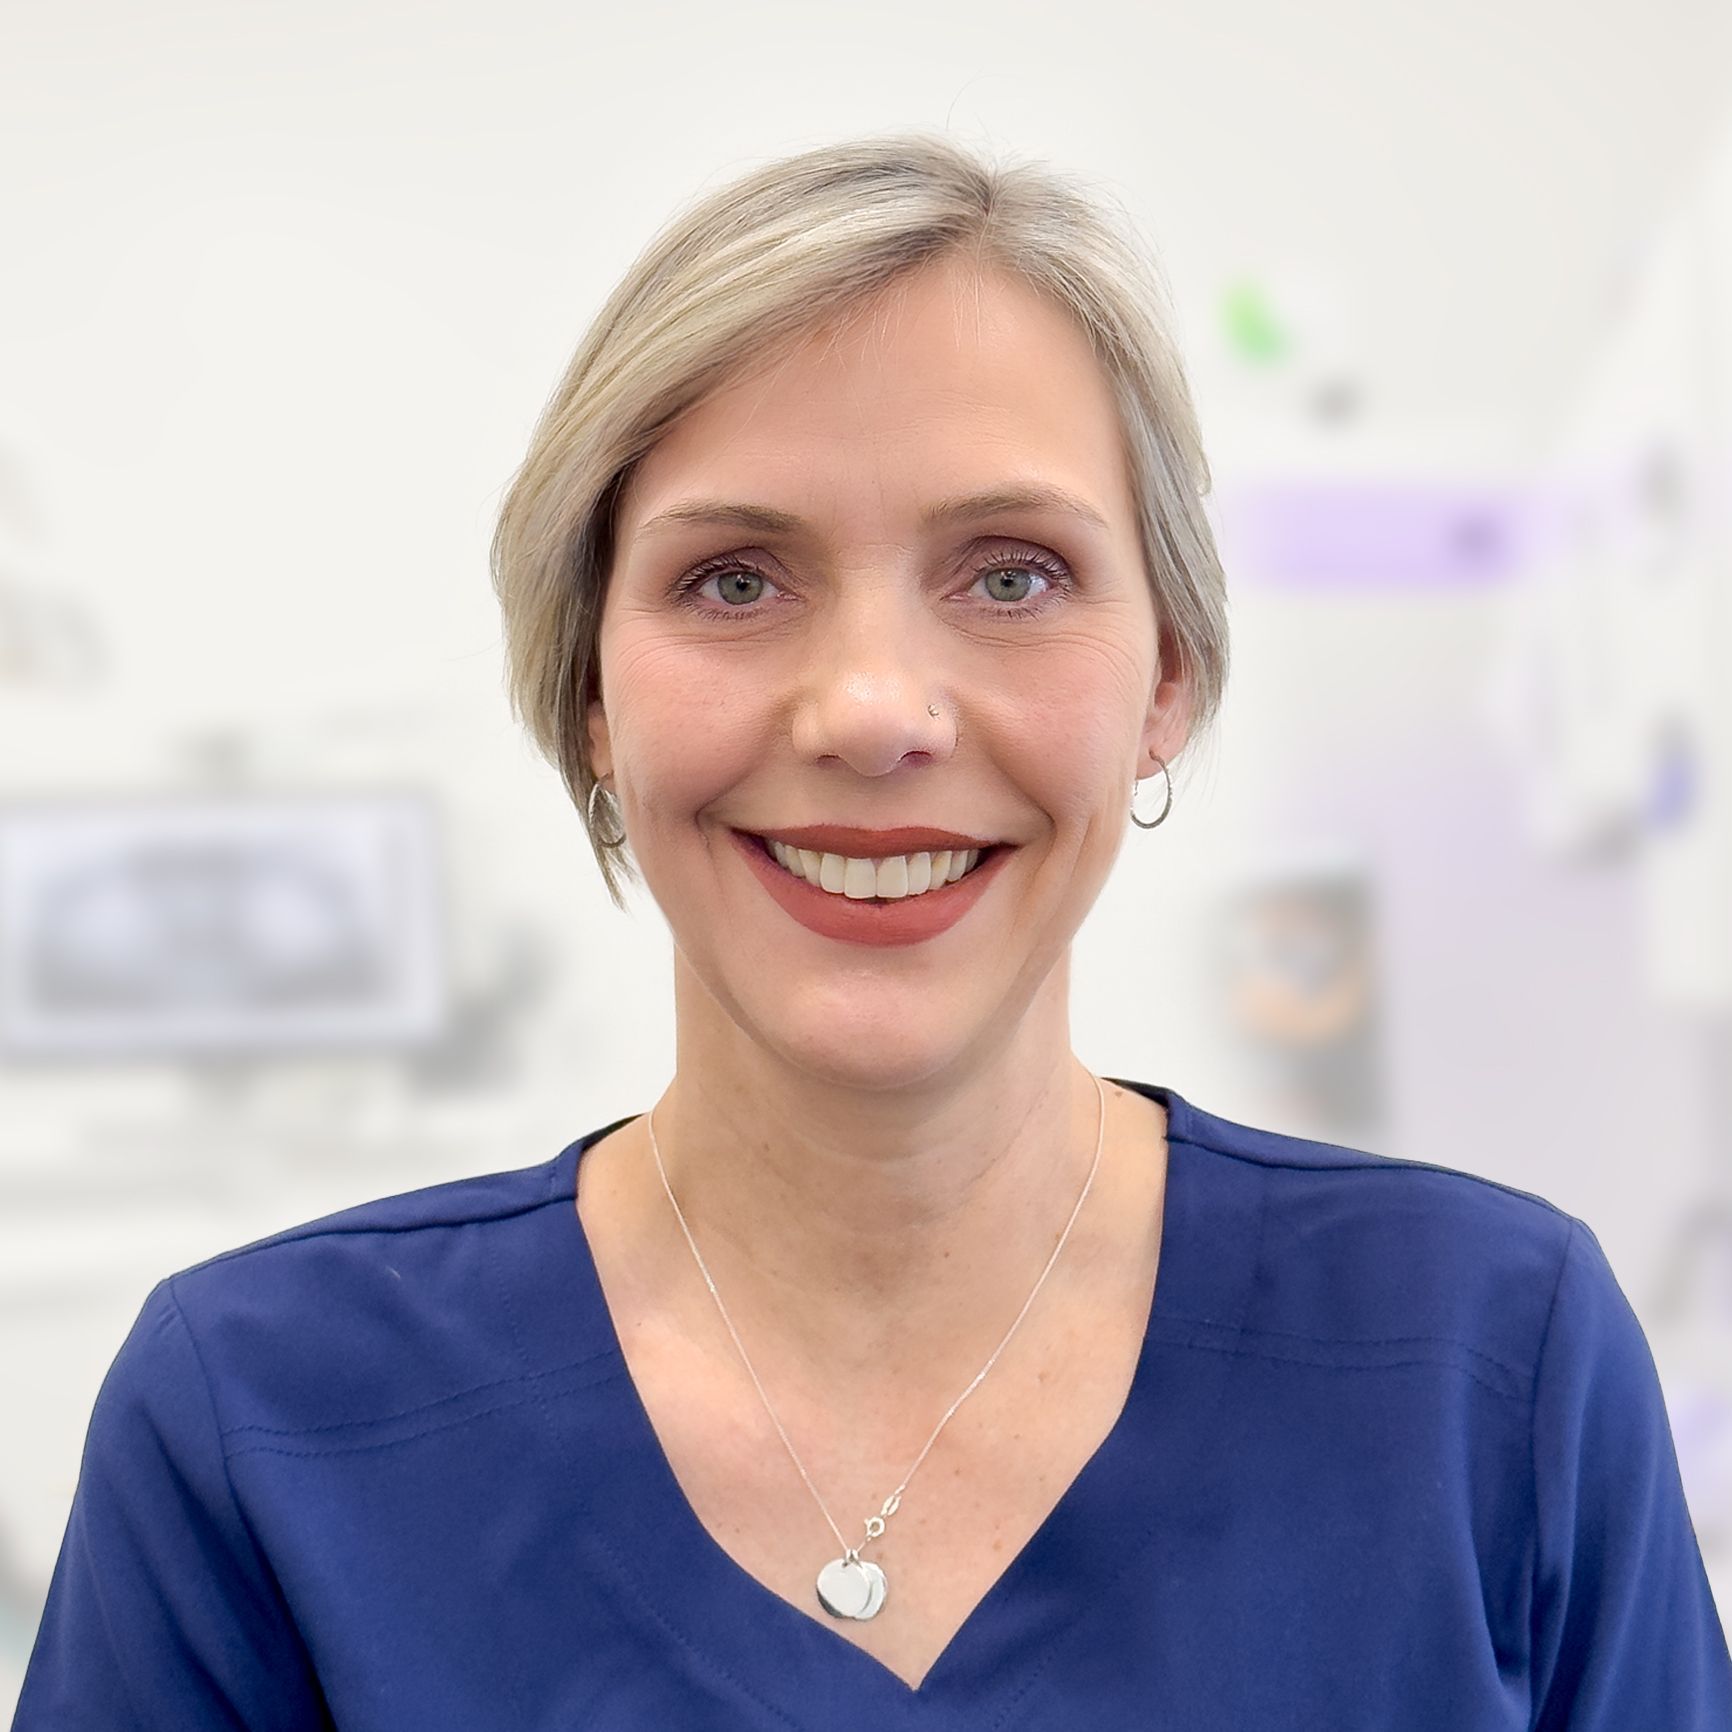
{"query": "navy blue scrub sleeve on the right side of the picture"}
(1625, 1631)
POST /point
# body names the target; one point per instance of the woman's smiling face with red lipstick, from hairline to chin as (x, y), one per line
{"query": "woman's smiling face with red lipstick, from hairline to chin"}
(768, 676)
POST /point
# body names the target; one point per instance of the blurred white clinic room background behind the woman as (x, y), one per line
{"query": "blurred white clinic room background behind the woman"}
(290, 917)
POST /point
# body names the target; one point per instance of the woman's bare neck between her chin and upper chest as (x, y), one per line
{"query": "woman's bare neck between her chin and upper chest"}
(843, 1224)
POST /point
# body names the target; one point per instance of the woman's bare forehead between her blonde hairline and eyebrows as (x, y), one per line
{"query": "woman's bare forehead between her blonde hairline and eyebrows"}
(950, 384)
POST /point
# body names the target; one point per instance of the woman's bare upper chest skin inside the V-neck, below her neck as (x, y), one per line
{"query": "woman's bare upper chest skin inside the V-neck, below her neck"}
(976, 1487)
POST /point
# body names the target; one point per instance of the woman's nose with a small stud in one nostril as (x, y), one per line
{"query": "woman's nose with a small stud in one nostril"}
(870, 682)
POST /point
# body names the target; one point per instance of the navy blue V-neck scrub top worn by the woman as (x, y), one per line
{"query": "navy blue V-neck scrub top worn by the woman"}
(1393, 1457)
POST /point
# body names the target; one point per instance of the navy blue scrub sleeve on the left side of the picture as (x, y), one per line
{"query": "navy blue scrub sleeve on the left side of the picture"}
(162, 1612)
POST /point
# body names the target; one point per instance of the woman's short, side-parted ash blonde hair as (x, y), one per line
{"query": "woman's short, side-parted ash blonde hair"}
(772, 259)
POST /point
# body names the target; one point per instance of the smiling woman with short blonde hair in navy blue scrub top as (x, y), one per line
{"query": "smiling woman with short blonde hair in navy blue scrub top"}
(893, 1366)
